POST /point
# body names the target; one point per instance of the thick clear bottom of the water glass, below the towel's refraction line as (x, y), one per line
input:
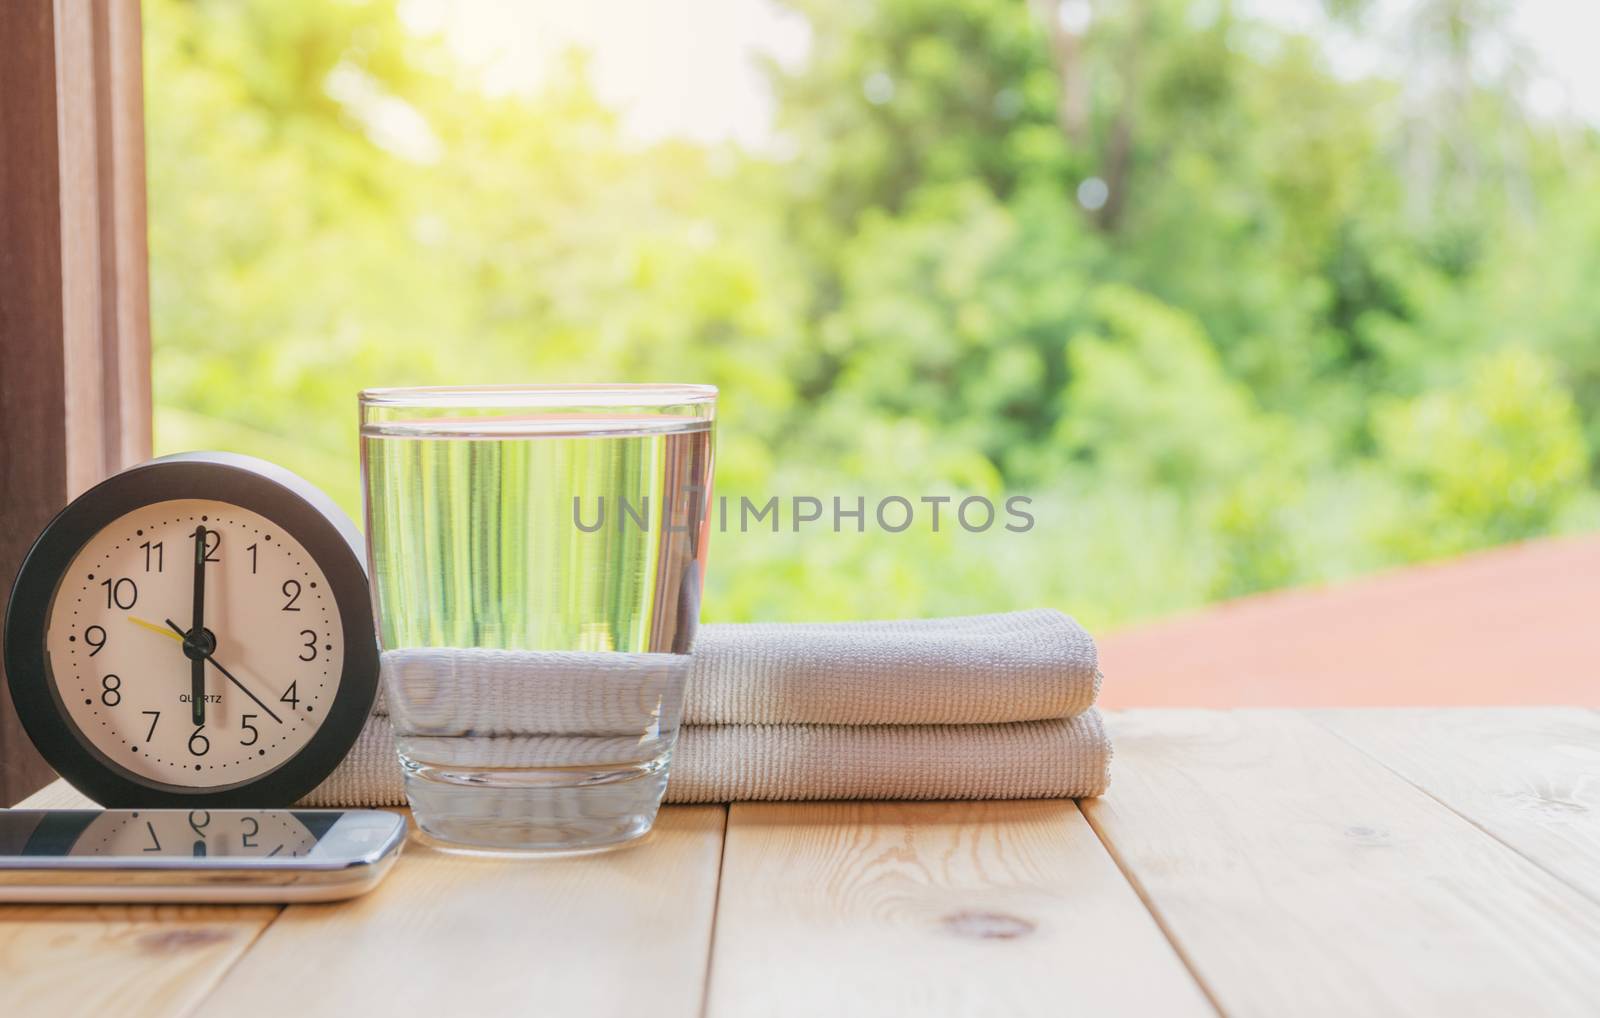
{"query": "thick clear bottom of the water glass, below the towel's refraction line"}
(535, 812)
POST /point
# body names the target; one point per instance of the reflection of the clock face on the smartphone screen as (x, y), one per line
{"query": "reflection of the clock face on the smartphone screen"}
(196, 833)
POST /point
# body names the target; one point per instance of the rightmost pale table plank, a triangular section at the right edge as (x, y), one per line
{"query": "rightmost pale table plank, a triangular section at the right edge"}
(1530, 777)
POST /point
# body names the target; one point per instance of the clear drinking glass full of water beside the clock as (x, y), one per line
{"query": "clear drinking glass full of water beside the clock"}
(537, 558)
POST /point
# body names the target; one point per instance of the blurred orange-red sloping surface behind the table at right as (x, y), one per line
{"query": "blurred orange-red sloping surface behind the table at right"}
(1516, 625)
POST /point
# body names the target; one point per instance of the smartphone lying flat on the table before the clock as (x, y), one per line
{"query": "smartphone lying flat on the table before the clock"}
(196, 856)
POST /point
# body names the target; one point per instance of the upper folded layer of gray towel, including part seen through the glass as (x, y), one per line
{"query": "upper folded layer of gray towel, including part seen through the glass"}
(948, 671)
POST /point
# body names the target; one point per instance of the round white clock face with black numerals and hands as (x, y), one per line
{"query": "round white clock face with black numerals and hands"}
(124, 670)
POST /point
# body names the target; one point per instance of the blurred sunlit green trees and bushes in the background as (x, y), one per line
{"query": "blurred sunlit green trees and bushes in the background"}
(1234, 323)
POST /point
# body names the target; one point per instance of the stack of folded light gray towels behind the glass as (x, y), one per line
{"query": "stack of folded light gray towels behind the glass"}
(993, 707)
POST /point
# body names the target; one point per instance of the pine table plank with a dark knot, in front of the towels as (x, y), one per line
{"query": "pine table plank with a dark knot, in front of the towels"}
(895, 908)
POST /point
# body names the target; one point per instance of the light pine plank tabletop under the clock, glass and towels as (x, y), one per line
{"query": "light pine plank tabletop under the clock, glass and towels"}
(1249, 864)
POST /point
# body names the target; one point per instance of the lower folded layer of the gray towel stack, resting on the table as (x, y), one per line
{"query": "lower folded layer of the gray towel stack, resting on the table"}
(1042, 759)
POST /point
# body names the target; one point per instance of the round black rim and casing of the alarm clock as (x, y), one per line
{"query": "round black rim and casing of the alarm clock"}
(252, 484)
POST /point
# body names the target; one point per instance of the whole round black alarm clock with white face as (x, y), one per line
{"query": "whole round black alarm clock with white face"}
(196, 631)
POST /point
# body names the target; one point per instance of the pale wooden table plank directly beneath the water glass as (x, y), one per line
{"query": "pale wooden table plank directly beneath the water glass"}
(615, 934)
